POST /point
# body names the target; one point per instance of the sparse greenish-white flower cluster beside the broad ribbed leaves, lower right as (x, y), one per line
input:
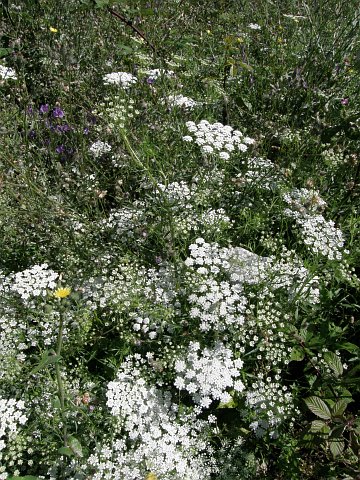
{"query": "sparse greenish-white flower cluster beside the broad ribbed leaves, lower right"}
(272, 404)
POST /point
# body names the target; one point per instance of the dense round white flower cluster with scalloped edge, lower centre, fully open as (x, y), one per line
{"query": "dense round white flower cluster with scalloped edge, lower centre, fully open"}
(208, 374)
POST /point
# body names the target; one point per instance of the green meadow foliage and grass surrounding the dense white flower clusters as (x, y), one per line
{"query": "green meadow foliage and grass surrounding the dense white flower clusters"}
(292, 84)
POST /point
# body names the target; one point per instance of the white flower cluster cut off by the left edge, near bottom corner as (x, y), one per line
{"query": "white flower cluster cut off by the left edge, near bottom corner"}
(11, 416)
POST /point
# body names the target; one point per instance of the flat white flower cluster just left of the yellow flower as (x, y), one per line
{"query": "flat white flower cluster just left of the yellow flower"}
(33, 282)
